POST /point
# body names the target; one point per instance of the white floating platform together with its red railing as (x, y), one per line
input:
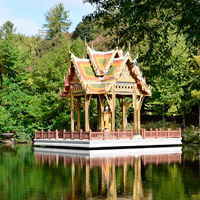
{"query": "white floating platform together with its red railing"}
(113, 139)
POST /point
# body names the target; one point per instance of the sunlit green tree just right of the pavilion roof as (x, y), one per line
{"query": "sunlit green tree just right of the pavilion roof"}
(172, 87)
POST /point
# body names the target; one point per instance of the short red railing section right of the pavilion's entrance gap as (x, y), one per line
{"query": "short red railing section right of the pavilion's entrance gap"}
(158, 133)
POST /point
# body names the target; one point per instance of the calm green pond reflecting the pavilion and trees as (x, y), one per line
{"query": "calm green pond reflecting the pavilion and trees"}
(163, 174)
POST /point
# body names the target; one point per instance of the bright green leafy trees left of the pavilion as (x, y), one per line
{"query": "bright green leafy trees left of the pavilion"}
(30, 99)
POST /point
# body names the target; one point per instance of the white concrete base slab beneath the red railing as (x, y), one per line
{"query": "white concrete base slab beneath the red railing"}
(97, 144)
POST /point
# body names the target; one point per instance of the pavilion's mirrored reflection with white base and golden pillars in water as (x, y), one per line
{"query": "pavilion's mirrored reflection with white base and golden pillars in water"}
(106, 174)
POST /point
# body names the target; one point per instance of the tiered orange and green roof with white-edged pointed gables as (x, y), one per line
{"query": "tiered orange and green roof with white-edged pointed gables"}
(98, 73)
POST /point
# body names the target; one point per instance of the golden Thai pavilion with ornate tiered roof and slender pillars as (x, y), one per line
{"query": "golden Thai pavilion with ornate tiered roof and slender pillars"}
(106, 76)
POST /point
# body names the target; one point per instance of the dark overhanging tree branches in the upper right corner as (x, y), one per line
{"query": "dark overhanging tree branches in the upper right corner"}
(134, 20)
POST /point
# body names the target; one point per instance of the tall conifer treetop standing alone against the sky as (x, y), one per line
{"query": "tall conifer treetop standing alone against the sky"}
(57, 21)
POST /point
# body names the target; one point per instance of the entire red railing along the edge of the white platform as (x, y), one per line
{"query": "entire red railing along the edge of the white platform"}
(105, 135)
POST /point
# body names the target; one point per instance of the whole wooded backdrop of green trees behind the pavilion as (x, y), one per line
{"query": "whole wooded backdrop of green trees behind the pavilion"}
(165, 35)
